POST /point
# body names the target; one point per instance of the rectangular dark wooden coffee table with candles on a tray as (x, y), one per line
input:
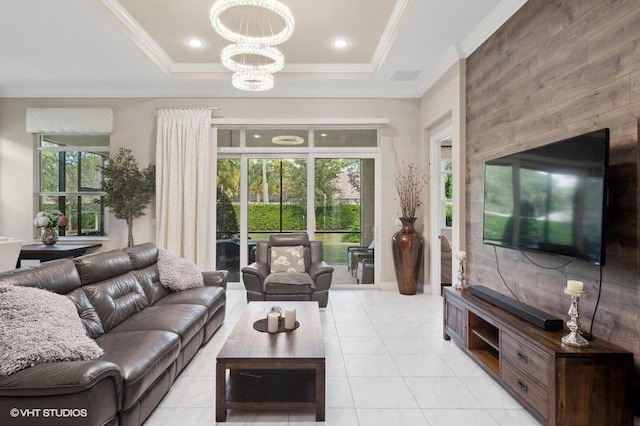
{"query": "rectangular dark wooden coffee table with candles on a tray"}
(281, 371)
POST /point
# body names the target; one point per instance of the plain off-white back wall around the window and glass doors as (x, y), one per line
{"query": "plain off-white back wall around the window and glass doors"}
(135, 121)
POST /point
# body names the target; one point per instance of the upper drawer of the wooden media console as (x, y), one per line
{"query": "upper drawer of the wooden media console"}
(525, 358)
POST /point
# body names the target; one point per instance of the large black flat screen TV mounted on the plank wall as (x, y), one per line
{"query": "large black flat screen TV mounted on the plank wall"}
(550, 199)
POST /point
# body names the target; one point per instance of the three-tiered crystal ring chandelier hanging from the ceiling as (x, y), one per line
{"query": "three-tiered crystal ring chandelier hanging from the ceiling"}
(255, 76)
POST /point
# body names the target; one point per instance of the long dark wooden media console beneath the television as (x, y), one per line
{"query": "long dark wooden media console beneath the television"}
(558, 384)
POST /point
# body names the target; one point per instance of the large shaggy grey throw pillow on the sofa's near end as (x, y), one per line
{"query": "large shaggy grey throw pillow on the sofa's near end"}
(39, 326)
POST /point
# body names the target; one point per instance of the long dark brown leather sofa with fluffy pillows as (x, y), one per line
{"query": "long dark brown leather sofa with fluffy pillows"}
(148, 333)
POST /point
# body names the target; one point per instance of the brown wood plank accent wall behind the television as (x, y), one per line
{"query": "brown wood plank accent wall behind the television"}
(556, 69)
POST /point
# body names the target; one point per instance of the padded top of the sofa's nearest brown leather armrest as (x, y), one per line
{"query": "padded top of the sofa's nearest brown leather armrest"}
(57, 378)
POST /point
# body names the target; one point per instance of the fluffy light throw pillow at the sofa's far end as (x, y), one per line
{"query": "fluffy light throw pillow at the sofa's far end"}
(177, 273)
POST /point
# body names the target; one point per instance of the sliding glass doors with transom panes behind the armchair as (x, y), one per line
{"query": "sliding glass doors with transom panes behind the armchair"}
(329, 192)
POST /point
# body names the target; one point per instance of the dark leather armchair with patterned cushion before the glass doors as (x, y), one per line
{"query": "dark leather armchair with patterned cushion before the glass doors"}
(288, 267)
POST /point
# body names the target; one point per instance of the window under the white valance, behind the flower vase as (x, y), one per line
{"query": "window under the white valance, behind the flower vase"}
(71, 179)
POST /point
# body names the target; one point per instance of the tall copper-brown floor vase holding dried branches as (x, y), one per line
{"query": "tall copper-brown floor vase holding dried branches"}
(407, 246)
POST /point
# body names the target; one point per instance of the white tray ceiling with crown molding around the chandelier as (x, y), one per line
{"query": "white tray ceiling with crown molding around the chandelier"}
(132, 48)
